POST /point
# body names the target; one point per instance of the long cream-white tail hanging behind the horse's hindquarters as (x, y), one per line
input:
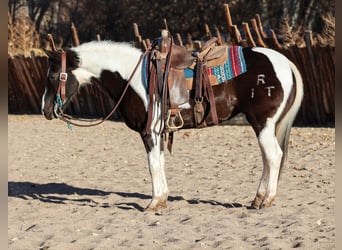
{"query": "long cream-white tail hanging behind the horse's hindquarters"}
(284, 125)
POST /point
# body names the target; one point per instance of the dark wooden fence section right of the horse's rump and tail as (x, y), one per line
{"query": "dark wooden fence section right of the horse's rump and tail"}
(317, 66)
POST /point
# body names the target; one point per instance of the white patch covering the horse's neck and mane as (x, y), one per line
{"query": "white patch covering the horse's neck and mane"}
(106, 55)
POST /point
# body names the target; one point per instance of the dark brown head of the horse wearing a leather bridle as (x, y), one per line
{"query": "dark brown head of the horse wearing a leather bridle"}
(61, 83)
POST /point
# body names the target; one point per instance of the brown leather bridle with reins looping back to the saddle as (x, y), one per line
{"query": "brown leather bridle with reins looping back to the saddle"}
(61, 96)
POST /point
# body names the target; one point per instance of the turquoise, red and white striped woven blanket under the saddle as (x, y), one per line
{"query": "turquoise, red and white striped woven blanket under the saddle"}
(234, 66)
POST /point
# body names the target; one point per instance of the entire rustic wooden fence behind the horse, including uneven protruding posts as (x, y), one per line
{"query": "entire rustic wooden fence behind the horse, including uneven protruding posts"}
(27, 75)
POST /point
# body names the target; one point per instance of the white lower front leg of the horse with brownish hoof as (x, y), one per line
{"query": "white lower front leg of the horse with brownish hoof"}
(156, 165)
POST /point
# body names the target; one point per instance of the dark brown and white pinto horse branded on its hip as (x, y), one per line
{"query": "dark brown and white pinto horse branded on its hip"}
(269, 94)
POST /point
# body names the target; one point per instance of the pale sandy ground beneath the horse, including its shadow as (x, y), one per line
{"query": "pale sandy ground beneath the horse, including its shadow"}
(87, 189)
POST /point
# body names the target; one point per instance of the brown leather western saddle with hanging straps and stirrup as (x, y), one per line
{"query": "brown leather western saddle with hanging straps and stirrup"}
(168, 84)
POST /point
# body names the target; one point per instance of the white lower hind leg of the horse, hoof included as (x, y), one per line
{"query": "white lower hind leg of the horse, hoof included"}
(271, 155)
